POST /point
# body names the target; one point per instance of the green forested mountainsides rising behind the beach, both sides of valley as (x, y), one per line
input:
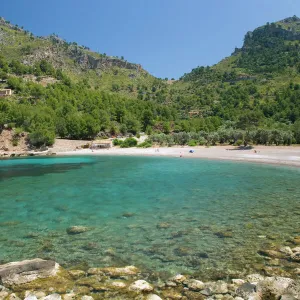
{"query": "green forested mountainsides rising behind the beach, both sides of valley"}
(63, 89)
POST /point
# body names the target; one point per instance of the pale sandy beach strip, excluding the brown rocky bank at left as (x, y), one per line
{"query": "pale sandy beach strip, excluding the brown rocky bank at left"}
(281, 155)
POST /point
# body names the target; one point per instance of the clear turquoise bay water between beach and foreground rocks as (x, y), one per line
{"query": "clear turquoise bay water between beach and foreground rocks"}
(165, 215)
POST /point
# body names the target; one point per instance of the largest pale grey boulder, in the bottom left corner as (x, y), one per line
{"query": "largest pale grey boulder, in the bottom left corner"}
(27, 270)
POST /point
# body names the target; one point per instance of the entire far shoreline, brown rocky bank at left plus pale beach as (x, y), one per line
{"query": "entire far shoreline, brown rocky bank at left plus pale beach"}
(271, 155)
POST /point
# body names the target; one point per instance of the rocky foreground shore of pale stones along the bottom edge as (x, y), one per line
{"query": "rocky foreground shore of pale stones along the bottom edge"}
(45, 279)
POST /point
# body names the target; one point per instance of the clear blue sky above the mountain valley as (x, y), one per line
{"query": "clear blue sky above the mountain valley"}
(167, 37)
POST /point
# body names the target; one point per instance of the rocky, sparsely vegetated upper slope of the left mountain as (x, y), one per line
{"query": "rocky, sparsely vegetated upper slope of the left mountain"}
(77, 62)
